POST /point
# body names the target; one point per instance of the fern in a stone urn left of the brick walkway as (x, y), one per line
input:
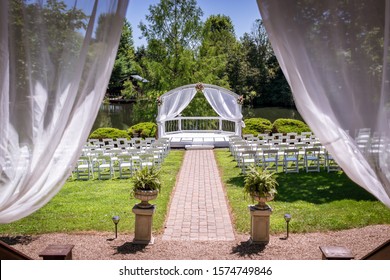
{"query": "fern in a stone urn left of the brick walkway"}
(146, 186)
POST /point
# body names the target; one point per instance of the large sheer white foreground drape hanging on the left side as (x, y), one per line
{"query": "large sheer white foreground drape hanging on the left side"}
(56, 58)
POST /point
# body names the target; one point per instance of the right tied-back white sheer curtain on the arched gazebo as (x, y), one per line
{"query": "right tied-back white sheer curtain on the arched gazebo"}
(225, 105)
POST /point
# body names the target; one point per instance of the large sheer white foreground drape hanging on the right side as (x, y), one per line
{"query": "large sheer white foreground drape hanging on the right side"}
(335, 56)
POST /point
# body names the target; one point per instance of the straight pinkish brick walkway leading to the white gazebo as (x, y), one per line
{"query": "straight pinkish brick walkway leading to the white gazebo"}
(199, 209)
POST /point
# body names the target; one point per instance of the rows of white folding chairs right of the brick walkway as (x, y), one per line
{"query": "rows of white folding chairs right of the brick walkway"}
(310, 156)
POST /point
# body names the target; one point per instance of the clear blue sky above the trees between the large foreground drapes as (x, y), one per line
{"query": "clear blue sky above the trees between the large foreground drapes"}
(243, 14)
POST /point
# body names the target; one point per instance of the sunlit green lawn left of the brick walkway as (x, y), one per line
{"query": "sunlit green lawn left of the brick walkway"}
(90, 205)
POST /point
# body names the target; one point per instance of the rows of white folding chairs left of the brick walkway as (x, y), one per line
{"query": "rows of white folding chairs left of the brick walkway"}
(106, 162)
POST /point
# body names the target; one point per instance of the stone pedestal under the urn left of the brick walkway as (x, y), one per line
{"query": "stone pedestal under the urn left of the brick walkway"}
(143, 225)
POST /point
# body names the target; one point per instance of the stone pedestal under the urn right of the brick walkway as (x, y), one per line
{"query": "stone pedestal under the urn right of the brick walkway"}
(259, 225)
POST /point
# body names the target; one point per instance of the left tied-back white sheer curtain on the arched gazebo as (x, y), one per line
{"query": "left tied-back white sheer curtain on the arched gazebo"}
(172, 104)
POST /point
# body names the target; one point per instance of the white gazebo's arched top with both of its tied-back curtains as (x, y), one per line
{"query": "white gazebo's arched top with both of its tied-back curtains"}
(223, 101)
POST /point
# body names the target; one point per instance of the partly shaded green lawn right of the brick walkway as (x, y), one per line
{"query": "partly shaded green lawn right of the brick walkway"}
(316, 201)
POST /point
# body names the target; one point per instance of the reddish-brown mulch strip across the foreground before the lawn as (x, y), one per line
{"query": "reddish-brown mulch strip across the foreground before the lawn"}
(103, 246)
